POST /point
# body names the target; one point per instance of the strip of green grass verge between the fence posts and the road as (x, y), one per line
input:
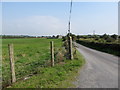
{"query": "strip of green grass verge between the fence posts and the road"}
(59, 76)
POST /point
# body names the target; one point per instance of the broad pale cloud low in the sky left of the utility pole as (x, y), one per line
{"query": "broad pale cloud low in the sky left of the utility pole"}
(35, 25)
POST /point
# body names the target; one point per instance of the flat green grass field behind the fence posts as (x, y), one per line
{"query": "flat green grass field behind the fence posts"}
(30, 54)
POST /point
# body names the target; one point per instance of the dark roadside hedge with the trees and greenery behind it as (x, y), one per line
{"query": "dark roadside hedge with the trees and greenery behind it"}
(106, 43)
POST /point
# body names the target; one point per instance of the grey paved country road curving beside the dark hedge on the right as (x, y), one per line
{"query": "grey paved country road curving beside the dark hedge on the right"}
(100, 70)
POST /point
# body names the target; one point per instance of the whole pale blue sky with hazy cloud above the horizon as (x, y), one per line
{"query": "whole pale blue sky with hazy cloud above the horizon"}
(51, 18)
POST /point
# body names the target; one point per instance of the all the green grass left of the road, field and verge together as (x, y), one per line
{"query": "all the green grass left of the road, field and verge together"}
(32, 57)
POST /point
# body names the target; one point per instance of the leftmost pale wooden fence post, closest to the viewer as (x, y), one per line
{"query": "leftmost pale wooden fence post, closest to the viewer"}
(11, 57)
